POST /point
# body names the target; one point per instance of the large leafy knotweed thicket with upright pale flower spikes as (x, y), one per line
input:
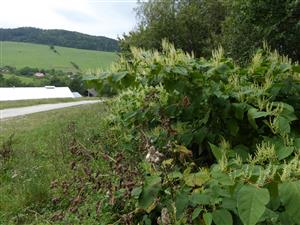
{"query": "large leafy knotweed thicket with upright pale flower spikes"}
(220, 142)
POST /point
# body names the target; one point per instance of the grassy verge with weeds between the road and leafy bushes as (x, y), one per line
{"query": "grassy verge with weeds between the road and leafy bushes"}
(35, 153)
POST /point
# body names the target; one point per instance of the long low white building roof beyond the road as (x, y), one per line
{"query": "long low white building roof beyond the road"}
(25, 93)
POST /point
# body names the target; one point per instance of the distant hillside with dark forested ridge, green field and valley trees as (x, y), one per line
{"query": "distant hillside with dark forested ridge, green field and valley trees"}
(62, 58)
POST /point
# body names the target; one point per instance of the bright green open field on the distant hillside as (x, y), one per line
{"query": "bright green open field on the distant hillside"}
(20, 55)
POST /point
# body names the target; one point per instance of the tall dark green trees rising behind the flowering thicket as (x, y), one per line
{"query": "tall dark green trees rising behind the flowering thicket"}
(199, 26)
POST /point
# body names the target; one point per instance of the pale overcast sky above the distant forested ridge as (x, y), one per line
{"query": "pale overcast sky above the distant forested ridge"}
(110, 18)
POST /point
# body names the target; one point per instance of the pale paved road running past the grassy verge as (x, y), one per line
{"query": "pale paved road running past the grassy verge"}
(14, 112)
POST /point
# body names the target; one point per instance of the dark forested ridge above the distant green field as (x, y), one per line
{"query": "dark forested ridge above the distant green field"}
(60, 38)
